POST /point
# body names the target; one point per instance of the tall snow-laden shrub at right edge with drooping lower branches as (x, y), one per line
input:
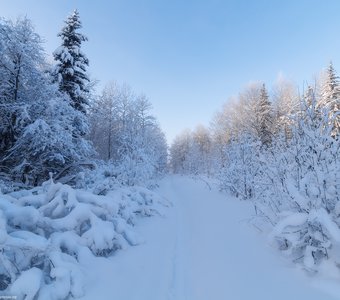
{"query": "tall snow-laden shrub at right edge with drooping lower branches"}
(304, 195)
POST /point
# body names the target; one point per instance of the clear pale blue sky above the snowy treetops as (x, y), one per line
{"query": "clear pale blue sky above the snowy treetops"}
(190, 56)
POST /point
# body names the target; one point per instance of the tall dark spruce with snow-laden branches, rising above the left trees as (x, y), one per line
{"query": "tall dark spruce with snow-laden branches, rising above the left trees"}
(70, 71)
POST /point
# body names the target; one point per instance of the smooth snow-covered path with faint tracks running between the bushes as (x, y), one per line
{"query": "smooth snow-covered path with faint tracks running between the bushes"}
(203, 249)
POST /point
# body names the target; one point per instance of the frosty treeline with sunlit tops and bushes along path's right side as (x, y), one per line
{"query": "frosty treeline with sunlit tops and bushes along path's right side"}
(280, 151)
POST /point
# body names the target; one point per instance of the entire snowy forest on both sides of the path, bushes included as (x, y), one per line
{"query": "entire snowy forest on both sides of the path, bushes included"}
(79, 168)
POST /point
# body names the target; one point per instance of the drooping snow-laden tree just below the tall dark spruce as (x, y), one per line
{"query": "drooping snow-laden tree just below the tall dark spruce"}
(47, 144)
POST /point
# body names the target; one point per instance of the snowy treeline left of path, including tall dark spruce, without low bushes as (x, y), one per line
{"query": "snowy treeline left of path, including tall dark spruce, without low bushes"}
(51, 121)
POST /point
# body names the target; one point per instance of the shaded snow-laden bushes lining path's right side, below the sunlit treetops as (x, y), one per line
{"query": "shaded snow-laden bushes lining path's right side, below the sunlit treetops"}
(295, 186)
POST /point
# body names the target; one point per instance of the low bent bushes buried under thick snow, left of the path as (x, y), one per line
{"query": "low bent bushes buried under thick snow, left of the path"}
(46, 233)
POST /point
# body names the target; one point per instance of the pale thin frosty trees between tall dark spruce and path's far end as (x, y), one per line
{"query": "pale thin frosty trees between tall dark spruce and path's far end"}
(127, 135)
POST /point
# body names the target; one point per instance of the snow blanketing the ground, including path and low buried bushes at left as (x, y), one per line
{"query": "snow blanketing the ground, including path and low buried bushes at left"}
(199, 244)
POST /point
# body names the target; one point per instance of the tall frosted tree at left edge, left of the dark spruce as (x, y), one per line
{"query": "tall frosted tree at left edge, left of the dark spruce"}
(21, 64)
